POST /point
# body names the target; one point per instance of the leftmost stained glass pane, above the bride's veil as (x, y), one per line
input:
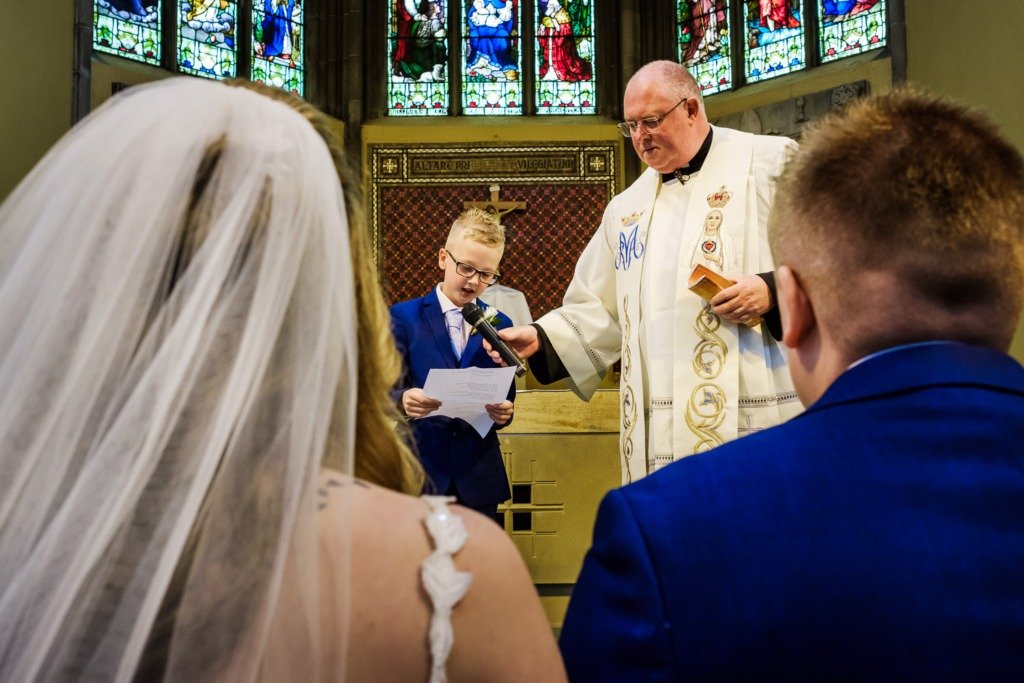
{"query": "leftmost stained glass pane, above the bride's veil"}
(129, 29)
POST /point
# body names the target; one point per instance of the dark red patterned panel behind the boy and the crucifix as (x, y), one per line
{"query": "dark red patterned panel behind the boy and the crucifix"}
(544, 241)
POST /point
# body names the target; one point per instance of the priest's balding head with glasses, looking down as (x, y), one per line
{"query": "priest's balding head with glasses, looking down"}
(665, 115)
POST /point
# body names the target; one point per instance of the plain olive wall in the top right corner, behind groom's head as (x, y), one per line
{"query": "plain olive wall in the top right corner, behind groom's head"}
(973, 54)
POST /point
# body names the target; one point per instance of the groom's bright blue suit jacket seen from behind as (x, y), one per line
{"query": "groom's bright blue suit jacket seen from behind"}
(879, 536)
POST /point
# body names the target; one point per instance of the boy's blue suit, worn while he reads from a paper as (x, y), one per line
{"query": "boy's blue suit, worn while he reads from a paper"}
(452, 452)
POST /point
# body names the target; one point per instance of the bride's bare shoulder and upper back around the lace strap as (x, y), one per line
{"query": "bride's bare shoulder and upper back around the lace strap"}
(498, 620)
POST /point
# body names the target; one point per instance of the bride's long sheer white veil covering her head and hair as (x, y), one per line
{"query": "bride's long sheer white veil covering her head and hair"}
(177, 336)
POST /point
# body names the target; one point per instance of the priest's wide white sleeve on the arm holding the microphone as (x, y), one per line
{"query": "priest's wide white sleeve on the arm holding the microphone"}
(585, 332)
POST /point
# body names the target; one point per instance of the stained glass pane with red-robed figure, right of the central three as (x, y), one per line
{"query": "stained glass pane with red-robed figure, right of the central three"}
(566, 57)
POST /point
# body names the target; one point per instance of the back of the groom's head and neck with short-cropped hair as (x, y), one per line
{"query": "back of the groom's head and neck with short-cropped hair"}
(900, 221)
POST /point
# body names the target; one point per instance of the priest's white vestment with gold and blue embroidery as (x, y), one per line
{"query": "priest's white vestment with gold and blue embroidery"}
(691, 381)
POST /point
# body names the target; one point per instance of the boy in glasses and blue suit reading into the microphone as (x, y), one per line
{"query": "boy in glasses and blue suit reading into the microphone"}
(432, 333)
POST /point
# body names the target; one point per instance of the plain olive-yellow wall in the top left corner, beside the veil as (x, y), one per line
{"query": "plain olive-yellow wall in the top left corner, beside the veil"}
(35, 107)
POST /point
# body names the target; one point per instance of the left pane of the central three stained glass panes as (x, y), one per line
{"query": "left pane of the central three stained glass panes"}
(418, 48)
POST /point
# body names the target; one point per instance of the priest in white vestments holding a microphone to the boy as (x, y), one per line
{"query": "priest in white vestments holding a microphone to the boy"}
(695, 374)
